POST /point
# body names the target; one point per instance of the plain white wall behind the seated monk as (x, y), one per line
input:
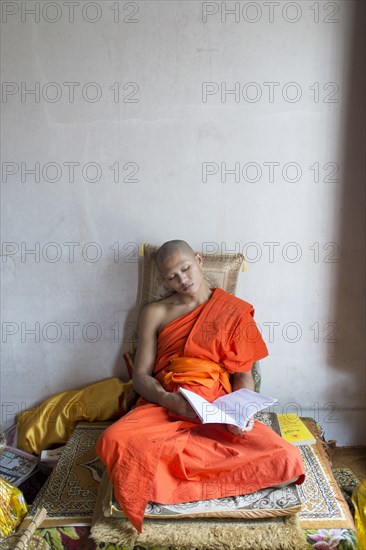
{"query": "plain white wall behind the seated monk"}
(168, 133)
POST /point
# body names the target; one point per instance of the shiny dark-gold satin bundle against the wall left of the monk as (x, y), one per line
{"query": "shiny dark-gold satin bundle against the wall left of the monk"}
(53, 421)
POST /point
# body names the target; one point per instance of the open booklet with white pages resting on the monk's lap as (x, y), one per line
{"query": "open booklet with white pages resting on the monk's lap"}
(234, 408)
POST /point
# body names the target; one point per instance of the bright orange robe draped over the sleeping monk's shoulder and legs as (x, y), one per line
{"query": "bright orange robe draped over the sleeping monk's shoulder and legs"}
(153, 455)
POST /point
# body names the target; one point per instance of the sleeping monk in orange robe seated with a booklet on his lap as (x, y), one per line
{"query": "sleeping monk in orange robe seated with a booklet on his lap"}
(205, 340)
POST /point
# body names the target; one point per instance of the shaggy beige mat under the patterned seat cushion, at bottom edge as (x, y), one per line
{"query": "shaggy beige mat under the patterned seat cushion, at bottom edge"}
(280, 533)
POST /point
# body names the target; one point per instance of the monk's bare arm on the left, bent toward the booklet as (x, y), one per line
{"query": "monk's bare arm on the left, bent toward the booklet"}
(144, 382)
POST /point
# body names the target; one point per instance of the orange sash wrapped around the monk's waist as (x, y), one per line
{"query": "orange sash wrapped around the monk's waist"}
(201, 372)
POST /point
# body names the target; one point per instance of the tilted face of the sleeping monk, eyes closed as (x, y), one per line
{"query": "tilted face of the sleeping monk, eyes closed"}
(183, 272)
